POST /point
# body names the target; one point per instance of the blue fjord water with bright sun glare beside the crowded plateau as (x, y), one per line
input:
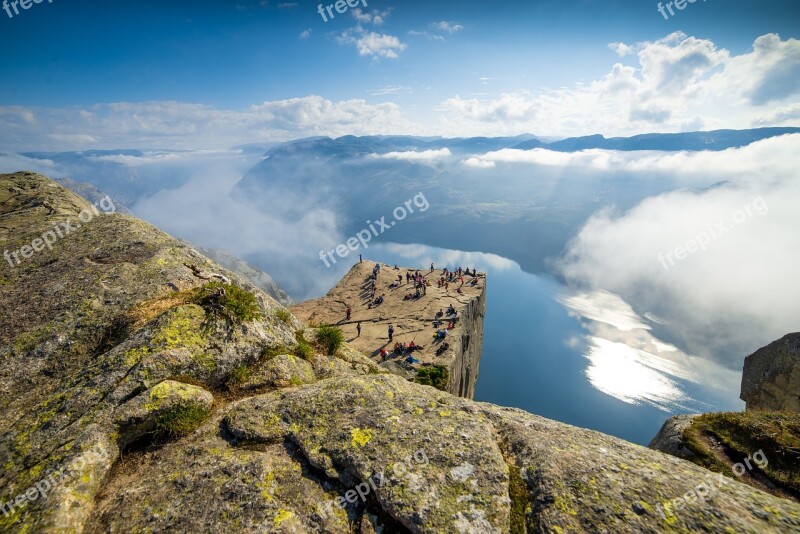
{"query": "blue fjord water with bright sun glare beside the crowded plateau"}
(542, 356)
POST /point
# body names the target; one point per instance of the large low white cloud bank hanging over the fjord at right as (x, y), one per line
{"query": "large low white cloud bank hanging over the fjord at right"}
(739, 293)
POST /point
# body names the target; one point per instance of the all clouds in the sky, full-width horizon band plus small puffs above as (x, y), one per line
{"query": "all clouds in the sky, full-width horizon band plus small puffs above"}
(677, 83)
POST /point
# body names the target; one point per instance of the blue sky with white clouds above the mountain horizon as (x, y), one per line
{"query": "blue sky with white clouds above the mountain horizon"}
(80, 75)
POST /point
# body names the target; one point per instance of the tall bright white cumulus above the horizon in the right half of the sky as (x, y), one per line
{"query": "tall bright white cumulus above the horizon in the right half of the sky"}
(680, 82)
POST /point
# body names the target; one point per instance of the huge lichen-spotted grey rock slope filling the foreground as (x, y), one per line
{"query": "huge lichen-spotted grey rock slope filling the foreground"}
(146, 388)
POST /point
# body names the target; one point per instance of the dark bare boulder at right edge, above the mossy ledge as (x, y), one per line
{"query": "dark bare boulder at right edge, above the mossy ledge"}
(771, 376)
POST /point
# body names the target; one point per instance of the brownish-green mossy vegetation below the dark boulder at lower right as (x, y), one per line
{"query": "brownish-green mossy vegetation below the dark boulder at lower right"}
(744, 433)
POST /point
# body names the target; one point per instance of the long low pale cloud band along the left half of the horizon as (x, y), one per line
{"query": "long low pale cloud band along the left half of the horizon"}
(191, 126)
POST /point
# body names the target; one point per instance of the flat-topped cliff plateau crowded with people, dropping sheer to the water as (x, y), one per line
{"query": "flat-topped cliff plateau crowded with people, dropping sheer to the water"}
(459, 354)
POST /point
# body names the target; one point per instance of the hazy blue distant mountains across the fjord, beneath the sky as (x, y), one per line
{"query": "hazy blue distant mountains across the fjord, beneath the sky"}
(521, 212)
